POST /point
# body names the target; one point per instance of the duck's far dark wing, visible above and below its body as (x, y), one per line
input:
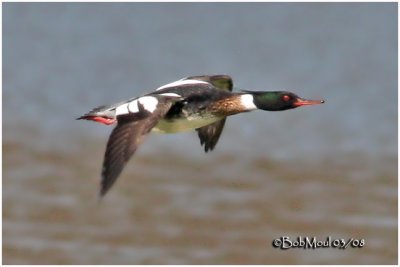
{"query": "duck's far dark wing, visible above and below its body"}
(209, 135)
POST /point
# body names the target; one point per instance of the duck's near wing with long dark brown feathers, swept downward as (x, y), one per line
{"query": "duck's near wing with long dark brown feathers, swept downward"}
(125, 139)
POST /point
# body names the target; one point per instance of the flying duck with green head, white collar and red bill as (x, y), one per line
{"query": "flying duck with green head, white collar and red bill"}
(201, 103)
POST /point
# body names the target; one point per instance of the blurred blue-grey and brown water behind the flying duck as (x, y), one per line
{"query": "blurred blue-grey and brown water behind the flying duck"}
(328, 170)
